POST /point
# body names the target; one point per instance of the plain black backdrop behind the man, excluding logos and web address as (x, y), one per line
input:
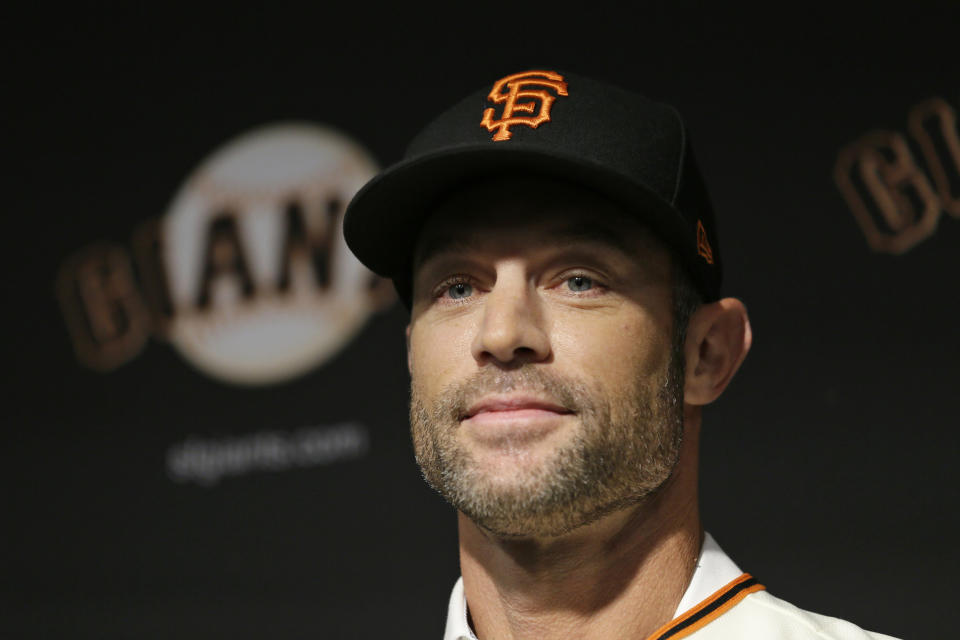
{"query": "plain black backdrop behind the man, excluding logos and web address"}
(828, 467)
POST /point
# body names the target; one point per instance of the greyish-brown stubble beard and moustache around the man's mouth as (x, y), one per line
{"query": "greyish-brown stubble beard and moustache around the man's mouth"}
(623, 450)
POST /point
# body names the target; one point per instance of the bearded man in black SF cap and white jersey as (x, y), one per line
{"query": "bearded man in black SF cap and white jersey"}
(556, 247)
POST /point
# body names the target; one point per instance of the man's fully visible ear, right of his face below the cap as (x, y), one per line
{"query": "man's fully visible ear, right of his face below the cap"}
(718, 339)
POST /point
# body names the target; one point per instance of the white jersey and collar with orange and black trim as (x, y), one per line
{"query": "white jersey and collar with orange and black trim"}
(721, 603)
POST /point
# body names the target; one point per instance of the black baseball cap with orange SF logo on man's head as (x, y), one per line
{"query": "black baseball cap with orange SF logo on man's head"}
(553, 124)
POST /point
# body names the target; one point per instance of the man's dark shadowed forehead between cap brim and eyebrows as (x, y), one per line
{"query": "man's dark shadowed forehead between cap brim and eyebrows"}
(514, 213)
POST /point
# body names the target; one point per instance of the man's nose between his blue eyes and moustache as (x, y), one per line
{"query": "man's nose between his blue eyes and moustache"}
(512, 327)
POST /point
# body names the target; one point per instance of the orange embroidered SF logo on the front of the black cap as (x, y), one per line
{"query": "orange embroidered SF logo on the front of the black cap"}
(509, 90)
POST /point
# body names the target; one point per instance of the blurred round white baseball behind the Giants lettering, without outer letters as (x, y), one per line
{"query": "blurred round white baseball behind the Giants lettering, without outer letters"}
(261, 283)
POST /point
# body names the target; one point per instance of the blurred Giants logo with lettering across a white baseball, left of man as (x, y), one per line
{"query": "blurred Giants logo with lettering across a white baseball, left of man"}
(246, 274)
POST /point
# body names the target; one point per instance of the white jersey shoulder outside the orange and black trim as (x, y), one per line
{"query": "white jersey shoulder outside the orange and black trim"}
(763, 616)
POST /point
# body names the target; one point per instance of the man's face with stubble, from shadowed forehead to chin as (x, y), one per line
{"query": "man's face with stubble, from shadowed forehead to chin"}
(545, 389)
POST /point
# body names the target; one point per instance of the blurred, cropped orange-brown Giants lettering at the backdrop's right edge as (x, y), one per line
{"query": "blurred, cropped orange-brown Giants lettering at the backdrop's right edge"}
(897, 200)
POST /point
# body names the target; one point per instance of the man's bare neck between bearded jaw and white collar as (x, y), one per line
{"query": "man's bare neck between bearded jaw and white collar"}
(622, 576)
